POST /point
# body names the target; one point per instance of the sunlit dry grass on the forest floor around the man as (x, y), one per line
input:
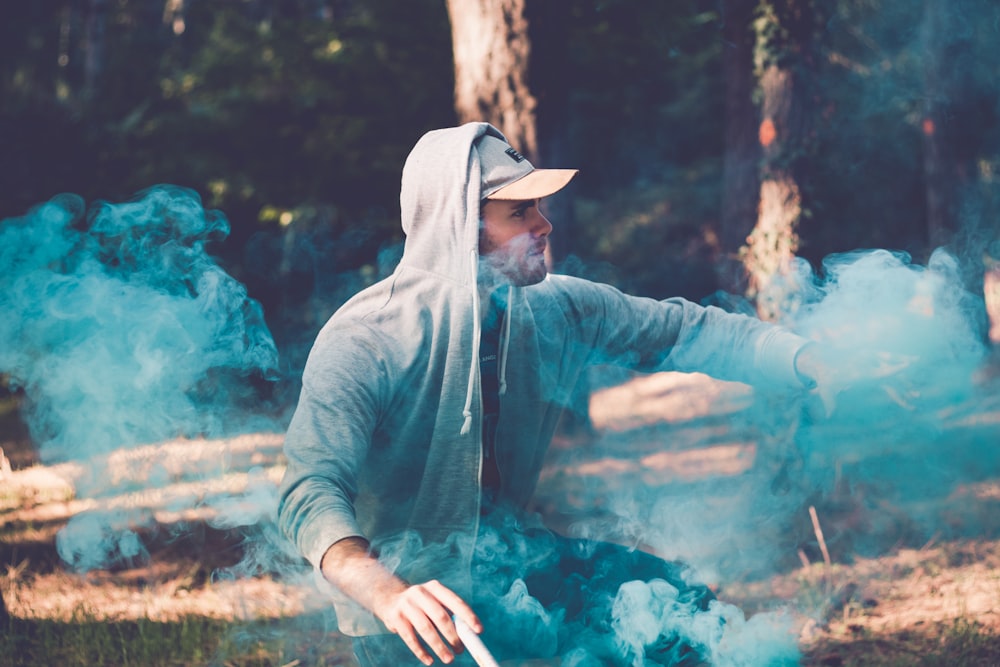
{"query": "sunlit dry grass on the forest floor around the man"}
(937, 603)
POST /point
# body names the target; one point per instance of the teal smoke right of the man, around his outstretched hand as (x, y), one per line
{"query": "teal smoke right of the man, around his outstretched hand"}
(883, 448)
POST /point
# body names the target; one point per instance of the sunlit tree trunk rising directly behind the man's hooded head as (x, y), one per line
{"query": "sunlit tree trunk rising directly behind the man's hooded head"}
(490, 41)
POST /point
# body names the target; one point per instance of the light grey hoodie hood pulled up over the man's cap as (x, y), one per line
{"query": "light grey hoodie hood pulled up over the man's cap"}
(439, 201)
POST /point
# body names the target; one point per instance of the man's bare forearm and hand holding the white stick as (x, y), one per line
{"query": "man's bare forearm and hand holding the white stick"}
(421, 614)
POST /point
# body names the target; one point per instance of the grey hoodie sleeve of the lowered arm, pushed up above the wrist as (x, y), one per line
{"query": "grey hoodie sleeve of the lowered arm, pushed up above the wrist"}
(328, 440)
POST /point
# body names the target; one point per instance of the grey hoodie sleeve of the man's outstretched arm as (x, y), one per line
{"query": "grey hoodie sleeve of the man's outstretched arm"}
(675, 334)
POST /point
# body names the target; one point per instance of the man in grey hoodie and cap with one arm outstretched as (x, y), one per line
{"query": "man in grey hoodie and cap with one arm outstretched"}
(429, 400)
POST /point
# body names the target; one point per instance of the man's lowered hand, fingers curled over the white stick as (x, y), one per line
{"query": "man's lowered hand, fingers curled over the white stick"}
(421, 616)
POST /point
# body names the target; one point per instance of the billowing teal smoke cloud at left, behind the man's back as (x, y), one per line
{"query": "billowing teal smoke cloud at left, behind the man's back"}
(119, 325)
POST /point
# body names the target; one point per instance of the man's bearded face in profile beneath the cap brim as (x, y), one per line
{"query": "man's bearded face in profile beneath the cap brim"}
(512, 241)
